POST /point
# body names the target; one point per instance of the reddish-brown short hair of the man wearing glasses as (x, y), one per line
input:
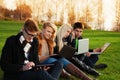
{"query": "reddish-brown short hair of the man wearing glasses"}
(31, 25)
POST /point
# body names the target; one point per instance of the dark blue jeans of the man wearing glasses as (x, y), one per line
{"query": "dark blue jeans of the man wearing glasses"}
(52, 74)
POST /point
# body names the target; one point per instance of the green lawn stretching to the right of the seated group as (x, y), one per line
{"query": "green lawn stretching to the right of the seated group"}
(111, 56)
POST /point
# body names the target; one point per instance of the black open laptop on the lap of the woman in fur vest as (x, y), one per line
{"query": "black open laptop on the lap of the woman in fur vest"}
(66, 52)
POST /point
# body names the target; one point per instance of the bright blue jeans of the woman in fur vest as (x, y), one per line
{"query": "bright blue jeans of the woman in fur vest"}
(64, 61)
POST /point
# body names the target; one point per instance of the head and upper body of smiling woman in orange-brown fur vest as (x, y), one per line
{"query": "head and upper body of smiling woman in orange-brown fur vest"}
(46, 40)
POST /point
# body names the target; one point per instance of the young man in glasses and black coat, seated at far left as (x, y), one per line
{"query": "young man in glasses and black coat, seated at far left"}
(20, 56)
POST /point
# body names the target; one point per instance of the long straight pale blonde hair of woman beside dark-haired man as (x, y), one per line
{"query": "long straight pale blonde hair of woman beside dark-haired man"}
(60, 34)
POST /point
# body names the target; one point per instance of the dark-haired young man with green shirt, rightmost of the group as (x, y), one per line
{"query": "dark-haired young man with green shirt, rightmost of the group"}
(88, 59)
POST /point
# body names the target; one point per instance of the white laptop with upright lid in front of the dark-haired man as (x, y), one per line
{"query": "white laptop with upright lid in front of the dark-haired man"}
(83, 46)
